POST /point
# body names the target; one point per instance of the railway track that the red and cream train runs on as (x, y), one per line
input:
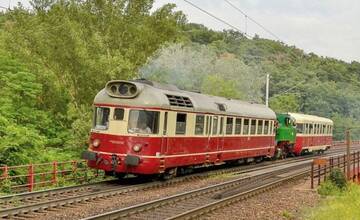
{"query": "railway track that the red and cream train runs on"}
(26, 204)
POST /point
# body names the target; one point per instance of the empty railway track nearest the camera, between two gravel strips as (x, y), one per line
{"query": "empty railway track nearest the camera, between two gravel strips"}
(193, 204)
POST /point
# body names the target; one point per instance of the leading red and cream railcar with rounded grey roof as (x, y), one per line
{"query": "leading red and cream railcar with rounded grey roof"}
(143, 127)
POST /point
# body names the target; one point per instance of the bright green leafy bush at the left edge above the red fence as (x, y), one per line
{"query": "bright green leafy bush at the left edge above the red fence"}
(21, 120)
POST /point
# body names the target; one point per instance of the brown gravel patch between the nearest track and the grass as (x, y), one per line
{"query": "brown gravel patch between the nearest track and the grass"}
(289, 201)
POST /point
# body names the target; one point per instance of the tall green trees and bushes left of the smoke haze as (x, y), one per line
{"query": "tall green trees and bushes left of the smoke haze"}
(65, 51)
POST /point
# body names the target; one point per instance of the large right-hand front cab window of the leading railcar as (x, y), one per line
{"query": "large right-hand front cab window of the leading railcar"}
(143, 122)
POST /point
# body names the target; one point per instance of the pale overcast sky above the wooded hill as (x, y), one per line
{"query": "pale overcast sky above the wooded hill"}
(325, 27)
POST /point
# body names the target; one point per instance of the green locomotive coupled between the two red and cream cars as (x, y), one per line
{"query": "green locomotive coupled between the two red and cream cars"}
(285, 134)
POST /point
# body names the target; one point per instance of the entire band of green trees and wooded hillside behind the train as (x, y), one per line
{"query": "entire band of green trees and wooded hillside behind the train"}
(57, 56)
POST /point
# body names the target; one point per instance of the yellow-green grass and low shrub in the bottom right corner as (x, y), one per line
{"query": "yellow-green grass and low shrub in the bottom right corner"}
(337, 204)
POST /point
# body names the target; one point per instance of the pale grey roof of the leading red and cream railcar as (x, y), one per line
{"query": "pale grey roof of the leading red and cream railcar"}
(155, 95)
